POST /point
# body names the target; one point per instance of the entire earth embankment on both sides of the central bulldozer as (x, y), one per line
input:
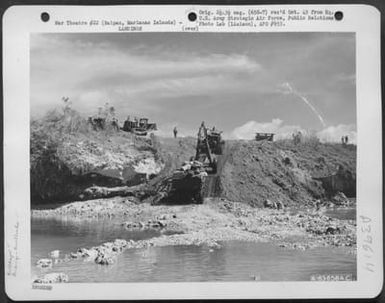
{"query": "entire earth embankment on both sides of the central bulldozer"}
(68, 157)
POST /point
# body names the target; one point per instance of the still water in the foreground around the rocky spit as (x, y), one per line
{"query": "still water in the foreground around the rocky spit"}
(234, 261)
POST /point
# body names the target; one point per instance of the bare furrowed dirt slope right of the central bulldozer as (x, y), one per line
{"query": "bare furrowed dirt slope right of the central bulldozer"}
(255, 171)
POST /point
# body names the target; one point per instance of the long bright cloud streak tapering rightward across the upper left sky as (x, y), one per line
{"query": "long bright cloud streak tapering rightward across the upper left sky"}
(103, 61)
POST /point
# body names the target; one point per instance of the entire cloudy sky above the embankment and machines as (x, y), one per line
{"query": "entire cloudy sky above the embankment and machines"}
(237, 82)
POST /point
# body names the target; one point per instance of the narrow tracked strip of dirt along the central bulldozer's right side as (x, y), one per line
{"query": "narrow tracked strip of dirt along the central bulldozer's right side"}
(213, 186)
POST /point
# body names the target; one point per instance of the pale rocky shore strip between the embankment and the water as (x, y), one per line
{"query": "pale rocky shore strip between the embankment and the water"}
(209, 224)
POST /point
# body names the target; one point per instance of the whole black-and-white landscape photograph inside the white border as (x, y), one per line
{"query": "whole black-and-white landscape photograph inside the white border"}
(174, 157)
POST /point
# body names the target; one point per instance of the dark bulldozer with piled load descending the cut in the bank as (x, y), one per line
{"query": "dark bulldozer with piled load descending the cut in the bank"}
(186, 184)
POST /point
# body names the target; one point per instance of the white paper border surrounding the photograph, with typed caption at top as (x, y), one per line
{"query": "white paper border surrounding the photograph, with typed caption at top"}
(20, 21)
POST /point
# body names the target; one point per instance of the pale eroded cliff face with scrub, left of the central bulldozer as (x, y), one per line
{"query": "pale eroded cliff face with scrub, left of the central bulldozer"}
(67, 157)
